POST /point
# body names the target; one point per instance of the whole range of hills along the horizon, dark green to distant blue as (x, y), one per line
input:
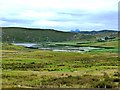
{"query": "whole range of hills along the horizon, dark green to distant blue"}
(32, 35)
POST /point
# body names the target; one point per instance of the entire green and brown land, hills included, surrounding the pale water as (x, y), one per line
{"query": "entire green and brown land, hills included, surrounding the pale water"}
(24, 67)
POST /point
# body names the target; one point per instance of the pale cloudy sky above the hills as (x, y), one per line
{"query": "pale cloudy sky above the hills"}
(64, 15)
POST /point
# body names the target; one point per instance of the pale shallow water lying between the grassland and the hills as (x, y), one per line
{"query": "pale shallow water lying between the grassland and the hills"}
(57, 48)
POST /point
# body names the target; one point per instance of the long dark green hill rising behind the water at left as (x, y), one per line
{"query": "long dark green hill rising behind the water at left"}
(18, 34)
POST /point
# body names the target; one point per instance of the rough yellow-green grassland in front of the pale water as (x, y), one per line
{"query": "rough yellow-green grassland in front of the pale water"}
(32, 68)
